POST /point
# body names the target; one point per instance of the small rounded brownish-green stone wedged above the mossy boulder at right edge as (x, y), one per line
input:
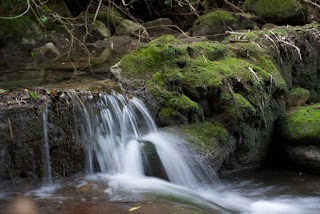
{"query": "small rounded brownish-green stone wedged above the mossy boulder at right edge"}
(296, 96)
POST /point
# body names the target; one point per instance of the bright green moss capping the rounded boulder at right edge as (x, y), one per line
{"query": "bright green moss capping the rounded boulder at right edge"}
(302, 125)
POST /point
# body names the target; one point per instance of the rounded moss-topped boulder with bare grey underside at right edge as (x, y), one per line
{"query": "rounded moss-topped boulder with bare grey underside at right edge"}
(300, 130)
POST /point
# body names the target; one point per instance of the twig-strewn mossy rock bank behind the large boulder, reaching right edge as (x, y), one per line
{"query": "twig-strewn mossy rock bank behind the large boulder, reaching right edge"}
(294, 50)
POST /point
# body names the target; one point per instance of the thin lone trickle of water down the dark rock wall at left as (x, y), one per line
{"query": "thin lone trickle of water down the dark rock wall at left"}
(47, 175)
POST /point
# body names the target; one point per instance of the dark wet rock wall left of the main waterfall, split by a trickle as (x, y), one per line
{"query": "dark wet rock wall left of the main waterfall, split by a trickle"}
(22, 137)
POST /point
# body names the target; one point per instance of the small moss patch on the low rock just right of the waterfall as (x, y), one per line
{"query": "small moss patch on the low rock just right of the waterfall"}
(205, 135)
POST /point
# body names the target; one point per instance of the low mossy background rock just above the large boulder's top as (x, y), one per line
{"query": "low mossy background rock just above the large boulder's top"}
(216, 23)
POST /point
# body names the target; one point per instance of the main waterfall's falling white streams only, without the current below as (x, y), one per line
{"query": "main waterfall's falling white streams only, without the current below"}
(118, 129)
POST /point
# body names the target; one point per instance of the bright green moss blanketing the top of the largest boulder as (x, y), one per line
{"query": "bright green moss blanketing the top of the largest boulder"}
(180, 75)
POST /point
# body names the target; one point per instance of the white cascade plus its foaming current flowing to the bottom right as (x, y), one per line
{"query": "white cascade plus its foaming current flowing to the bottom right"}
(114, 131)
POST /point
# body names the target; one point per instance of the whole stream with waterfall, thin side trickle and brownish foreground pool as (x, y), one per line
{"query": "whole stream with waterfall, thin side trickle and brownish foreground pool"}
(132, 166)
